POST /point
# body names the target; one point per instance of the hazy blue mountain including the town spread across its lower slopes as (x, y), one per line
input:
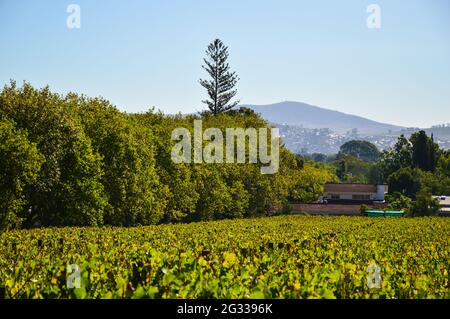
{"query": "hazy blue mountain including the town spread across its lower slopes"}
(310, 129)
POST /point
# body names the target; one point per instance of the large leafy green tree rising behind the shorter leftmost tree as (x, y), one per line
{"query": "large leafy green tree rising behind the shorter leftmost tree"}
(67, 190)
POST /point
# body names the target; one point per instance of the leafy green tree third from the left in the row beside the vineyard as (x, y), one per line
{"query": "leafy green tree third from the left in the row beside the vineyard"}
(135, 193)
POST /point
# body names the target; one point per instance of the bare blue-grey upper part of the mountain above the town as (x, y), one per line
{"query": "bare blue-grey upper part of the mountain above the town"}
(314, 117)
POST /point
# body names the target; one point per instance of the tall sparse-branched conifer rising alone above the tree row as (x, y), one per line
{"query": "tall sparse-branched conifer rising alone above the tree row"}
(220, 87)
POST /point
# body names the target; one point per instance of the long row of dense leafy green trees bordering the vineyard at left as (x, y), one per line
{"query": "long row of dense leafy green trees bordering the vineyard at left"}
(73, 160)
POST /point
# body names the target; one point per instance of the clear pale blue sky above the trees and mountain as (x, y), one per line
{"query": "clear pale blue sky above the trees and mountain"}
(140, 54)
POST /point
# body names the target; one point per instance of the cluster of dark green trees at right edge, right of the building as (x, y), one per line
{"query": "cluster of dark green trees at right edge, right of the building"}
(415, 169)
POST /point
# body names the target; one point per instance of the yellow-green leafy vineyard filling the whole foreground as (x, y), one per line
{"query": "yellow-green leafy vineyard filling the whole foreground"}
(273, 257)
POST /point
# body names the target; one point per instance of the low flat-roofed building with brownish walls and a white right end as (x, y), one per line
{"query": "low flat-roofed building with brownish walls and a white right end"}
(354, 193)
